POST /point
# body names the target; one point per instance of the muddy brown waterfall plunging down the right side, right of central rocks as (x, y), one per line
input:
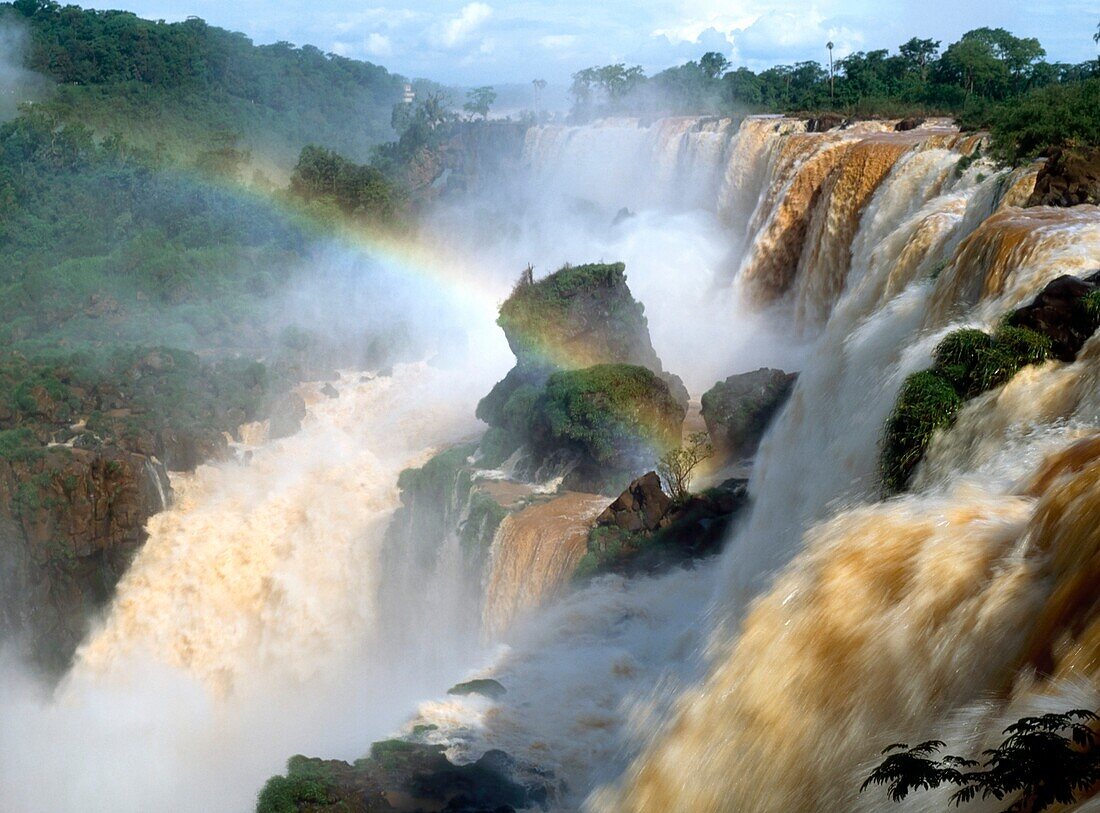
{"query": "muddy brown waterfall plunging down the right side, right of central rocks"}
(849, 623)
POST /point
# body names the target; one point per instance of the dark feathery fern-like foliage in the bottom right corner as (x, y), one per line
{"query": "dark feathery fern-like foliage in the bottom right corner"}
(1043, 762)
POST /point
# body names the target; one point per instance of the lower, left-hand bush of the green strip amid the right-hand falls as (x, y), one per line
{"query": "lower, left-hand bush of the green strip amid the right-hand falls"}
(927, 402)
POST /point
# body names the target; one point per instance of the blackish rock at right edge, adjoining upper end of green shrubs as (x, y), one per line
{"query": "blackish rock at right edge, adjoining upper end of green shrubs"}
(1060, 313)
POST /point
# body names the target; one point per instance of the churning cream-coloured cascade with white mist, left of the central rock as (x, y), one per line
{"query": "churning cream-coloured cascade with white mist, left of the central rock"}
(251, 627)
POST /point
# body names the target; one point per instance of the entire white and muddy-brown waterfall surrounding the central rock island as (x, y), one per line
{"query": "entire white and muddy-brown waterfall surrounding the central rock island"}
(269, 613)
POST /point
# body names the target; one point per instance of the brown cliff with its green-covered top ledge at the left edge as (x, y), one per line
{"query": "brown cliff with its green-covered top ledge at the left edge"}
(85, 444)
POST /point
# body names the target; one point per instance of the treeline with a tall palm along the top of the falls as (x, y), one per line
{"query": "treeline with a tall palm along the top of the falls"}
(989, 79)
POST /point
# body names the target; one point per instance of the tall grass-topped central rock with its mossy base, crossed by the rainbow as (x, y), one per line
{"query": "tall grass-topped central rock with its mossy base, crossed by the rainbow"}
(588, 395)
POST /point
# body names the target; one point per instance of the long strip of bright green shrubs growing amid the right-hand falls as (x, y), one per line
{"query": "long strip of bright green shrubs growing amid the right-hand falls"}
(966, 364)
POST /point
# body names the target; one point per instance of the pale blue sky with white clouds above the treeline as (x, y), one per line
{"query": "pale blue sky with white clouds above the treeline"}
(469, 42)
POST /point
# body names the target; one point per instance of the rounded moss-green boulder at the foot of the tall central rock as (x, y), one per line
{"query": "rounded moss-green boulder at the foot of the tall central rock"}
(610, 411)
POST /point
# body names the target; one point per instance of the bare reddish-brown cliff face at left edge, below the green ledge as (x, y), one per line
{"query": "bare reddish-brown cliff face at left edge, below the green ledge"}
(72, 523)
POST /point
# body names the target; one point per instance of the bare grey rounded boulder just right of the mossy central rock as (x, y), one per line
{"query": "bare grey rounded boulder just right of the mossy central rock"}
(739, 411)
